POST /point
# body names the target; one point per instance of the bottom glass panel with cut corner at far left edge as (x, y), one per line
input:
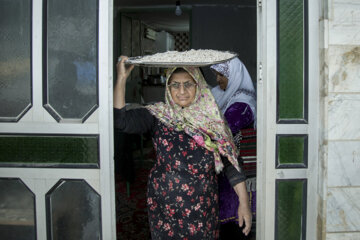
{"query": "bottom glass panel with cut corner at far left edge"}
(17, 210)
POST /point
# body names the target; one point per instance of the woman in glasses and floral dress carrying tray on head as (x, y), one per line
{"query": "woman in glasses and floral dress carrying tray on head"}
(189, 137)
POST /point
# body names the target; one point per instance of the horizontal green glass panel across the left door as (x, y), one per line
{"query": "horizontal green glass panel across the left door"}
(52, 150)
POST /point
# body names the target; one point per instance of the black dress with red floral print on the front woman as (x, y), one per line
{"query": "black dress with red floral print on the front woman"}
(182, 195)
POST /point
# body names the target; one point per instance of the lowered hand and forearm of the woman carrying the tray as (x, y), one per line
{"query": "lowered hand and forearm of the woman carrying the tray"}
(244, 208)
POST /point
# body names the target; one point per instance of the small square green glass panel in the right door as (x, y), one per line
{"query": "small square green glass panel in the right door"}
(291, 151)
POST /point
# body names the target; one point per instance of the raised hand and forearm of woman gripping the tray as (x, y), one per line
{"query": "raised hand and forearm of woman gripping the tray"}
(119, 89)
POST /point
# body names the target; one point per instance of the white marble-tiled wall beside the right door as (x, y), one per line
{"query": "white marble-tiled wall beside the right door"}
(340, 98)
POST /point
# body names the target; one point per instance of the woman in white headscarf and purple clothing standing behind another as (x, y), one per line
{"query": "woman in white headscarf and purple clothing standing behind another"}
(236, 98)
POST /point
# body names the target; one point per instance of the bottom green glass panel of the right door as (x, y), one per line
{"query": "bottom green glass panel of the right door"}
(290, 219)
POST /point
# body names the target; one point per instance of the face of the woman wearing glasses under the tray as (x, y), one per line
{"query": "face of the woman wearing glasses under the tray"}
(182, 88)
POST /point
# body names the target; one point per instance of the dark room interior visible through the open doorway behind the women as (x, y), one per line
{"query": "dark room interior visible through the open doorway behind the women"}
(141, 28)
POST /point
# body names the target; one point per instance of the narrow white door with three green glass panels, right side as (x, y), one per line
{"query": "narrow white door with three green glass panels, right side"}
(288, 106)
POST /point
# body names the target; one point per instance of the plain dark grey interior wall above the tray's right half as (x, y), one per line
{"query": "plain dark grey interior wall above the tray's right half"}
(226, 27)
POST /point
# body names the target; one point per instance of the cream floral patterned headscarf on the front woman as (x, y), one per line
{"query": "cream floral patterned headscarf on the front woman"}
(202, 120)
